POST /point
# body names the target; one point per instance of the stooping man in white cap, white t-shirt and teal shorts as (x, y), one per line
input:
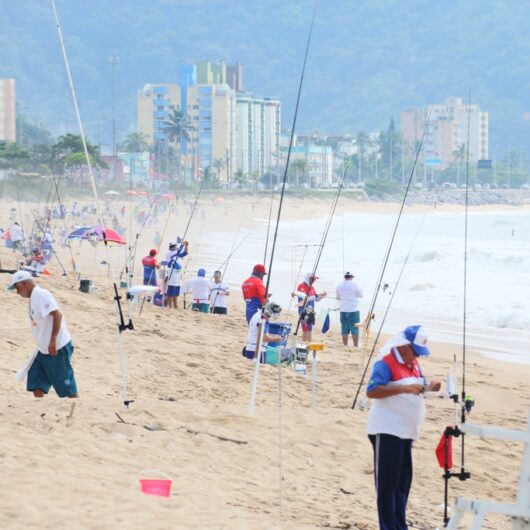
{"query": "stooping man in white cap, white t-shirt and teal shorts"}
(51, 366)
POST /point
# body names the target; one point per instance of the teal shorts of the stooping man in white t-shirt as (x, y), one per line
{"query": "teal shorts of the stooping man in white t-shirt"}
(53, 370)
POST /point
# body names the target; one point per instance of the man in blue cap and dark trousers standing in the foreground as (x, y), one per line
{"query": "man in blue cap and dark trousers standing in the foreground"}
(396, 414)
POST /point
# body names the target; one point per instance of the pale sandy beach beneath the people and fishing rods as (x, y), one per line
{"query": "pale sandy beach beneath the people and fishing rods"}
(79, 467)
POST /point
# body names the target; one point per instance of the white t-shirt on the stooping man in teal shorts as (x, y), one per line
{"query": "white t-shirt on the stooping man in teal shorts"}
(41, 304)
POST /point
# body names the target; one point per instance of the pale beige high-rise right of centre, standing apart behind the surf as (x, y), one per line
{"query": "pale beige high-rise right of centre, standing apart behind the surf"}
(447, 131)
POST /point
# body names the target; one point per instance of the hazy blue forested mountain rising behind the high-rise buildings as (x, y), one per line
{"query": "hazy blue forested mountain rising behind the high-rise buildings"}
(368, 58)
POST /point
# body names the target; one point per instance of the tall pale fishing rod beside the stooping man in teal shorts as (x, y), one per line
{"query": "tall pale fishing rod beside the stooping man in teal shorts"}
(121, 325)
